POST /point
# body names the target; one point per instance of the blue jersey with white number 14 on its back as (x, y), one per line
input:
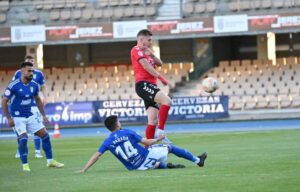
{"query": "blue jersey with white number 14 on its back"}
(124, 145)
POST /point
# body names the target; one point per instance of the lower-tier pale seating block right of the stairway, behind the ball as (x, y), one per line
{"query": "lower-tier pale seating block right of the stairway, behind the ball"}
(253, 84)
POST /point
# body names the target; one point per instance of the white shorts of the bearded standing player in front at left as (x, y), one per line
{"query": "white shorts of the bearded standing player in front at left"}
(27, 125)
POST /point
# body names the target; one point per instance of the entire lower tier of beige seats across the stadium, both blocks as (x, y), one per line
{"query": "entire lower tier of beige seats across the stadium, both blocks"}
(250, 84)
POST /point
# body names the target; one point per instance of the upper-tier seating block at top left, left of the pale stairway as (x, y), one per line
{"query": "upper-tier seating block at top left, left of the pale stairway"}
(68, 11)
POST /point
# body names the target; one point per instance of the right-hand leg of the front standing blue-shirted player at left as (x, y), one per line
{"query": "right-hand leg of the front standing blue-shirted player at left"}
(39, 130)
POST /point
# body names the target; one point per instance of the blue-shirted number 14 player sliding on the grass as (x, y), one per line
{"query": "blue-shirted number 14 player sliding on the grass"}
(124, 145)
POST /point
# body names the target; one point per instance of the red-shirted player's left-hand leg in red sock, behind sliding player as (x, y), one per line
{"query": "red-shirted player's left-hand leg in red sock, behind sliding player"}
(152, 122)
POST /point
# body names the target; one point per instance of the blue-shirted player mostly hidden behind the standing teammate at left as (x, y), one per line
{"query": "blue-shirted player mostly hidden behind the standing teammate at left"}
(39, 78)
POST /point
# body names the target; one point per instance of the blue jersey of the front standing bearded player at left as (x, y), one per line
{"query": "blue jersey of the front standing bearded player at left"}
(21, 97)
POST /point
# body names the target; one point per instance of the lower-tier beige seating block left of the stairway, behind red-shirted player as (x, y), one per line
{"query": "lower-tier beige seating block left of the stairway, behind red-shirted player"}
(99, 83)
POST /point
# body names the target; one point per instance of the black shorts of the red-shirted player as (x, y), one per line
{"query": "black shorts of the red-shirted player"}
(147, 92)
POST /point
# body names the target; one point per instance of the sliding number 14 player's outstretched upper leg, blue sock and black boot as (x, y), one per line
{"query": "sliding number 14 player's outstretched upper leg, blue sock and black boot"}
(183, 153)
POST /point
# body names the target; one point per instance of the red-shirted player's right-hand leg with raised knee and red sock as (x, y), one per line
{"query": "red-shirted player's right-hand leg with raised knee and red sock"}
(165, 104)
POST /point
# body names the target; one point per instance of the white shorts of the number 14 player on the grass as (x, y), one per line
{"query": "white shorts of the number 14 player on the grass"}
(157, 153)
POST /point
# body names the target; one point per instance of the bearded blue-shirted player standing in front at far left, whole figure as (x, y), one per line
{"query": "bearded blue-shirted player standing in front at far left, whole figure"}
(20, 94)
